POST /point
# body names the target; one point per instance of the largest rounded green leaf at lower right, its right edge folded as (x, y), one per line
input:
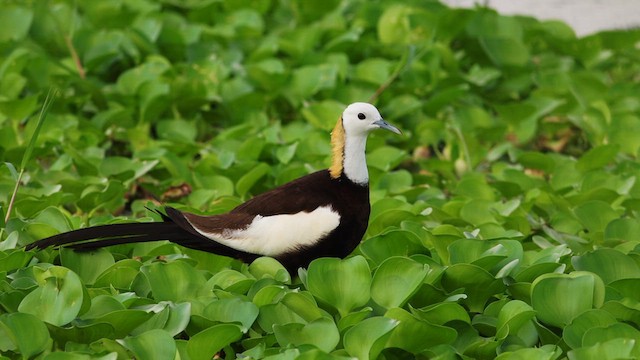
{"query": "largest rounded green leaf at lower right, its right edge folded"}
(552, 305)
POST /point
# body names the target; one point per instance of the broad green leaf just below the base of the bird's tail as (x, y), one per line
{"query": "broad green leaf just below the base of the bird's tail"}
(175, 281)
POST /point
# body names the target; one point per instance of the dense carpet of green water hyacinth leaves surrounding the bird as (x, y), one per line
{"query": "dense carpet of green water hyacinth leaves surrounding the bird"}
(505, 221)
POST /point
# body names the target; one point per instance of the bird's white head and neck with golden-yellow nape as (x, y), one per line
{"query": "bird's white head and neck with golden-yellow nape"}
(349, 138)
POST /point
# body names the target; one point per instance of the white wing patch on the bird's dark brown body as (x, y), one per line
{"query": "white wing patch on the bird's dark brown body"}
(277, 234)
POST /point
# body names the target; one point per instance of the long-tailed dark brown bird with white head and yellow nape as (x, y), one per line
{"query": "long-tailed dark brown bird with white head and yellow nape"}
(322, 214)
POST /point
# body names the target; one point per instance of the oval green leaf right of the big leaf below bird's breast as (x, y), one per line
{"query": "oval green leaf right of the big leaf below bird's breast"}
(395, 280)
